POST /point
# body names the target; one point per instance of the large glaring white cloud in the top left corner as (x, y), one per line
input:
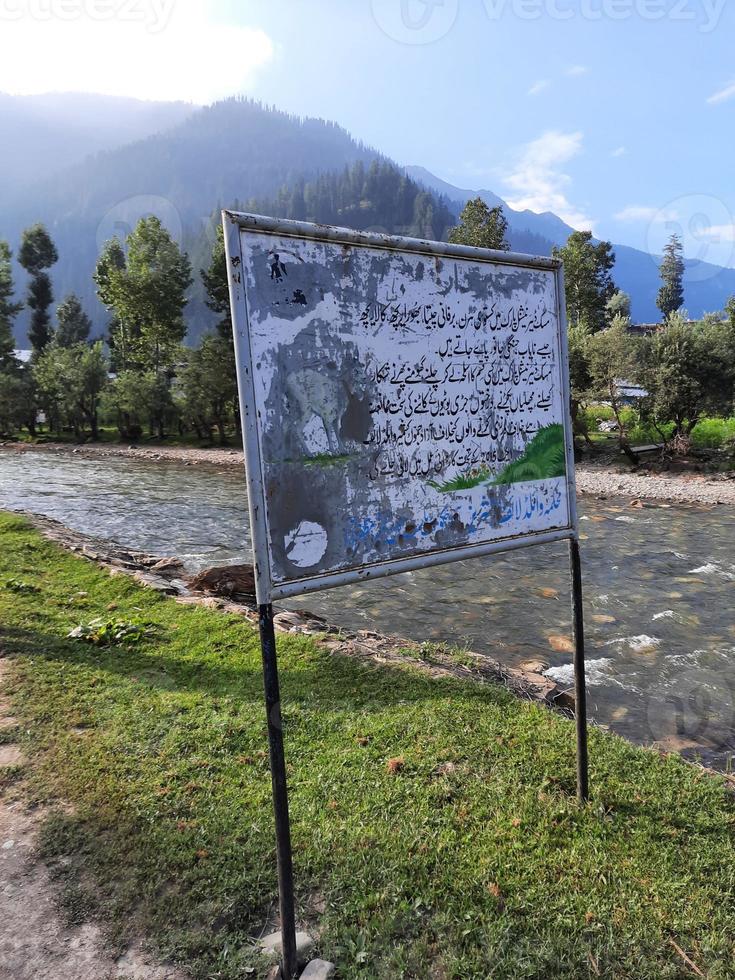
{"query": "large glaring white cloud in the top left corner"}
(161, 49)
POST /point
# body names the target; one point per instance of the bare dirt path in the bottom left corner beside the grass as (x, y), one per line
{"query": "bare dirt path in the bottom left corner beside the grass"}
(35, 943)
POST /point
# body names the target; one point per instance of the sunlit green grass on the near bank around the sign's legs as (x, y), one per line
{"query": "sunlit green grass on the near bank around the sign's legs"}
(466, 857)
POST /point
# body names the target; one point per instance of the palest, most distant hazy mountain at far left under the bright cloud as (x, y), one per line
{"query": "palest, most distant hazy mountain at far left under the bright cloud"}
(44, 134)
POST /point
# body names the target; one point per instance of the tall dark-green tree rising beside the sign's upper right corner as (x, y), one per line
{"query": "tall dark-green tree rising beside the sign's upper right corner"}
(589, 285)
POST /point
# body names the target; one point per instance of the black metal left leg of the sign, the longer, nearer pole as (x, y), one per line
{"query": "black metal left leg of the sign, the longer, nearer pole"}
(280, 791)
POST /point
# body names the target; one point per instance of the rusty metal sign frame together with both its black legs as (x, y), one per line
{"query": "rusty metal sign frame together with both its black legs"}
(234, 223)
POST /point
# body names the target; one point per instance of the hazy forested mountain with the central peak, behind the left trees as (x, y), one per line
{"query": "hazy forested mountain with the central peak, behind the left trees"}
(219, 155)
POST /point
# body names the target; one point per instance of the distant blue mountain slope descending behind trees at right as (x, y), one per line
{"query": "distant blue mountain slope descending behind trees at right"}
(707, 287)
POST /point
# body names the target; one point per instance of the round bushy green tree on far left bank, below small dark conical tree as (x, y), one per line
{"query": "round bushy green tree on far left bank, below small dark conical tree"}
(70, 381)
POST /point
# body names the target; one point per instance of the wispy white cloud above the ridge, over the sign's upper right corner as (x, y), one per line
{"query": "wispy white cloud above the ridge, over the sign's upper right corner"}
(538, 183)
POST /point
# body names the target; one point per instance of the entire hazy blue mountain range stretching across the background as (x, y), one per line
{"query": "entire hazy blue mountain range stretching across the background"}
(184, 162)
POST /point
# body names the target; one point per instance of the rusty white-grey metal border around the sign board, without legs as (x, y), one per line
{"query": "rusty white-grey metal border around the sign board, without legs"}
(267, 589)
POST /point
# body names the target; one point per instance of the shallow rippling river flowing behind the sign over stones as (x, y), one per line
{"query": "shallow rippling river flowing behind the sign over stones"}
(659, 588)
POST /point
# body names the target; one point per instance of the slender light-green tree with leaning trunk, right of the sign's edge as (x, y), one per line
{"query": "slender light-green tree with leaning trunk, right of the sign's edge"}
(612, 359)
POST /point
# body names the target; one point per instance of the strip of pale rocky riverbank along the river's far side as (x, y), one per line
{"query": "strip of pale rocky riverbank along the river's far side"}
(591, 479)
